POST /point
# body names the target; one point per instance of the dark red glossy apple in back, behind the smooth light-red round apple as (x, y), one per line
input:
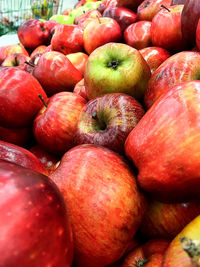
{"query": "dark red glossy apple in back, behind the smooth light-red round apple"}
(122, 15)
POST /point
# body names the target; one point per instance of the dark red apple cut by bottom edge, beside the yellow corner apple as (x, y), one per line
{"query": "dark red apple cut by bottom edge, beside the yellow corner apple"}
(152, 251)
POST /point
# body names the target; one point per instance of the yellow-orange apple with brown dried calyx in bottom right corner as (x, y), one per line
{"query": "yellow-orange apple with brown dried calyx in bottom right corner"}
(184, 249)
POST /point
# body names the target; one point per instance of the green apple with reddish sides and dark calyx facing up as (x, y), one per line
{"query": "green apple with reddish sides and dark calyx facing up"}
(116, 68)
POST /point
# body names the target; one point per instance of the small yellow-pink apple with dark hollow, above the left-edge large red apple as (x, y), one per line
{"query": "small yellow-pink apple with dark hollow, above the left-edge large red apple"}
(16, 60)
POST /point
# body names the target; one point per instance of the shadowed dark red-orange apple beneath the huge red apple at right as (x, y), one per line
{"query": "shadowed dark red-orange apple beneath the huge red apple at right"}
(166, 220)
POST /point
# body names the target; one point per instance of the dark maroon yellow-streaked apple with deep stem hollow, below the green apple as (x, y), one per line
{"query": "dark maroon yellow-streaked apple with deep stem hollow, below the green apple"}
(107, 120)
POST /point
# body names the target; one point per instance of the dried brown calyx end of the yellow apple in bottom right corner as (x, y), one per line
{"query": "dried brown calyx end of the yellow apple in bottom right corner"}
(192, 248)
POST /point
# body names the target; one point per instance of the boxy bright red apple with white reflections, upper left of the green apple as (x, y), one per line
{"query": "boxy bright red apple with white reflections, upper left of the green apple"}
(67, 39)
